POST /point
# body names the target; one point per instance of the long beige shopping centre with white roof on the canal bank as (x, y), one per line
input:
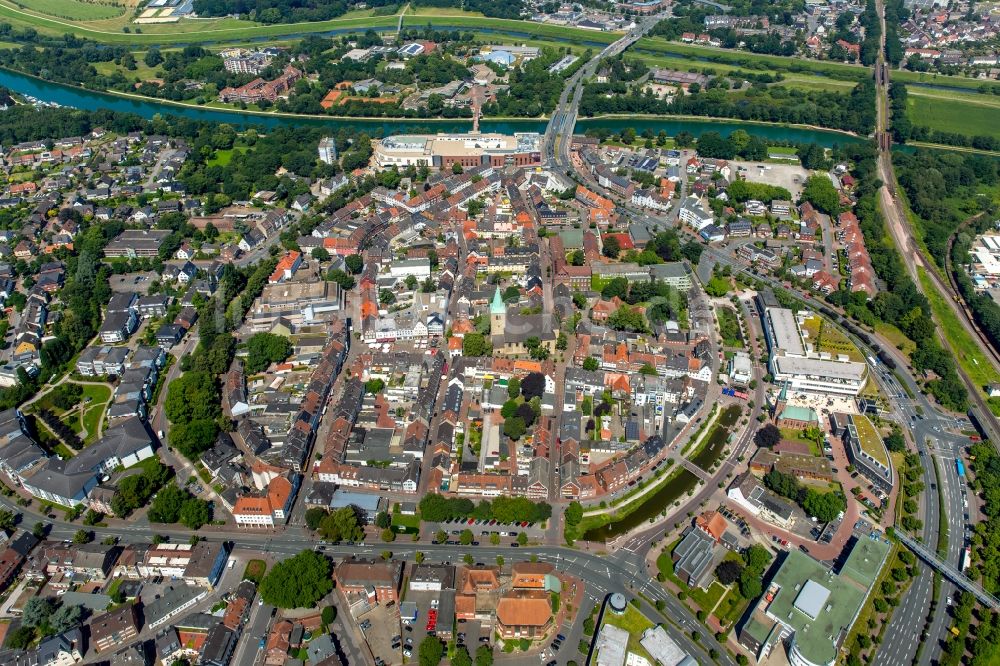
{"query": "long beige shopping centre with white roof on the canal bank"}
(442, 151)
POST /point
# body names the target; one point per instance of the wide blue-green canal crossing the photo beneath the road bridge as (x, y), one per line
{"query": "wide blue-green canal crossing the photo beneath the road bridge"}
(90, 100)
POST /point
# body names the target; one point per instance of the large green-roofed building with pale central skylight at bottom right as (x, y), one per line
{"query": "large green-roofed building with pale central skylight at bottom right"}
(810, 607)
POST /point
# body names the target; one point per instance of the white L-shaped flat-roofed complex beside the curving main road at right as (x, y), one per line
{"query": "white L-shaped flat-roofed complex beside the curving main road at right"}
(795, 363)
